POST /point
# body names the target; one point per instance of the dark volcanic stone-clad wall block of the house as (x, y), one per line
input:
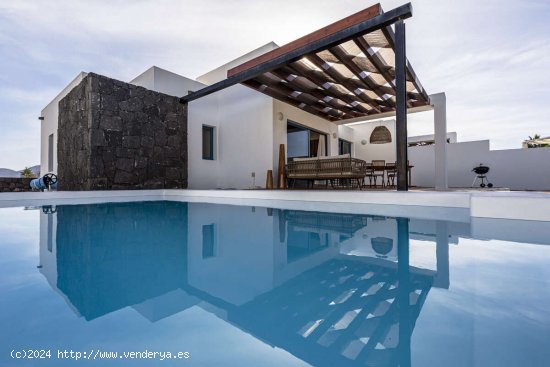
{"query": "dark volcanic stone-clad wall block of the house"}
(114, 135)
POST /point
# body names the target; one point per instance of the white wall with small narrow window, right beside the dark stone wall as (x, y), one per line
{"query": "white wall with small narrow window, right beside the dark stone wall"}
(243, 139)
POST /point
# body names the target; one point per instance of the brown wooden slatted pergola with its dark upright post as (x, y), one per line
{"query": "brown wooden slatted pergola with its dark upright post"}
(354, 68)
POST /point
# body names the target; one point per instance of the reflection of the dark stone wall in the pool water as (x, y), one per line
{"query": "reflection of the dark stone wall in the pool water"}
(110, 256)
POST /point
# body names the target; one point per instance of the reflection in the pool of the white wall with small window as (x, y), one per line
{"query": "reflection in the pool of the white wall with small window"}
(228, 274)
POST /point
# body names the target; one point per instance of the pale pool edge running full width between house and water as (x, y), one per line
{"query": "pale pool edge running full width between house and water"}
(520, 205)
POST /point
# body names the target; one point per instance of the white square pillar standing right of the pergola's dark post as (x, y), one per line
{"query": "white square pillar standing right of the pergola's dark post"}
(439, 103)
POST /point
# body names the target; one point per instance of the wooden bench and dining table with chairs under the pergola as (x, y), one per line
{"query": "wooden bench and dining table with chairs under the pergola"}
(342, 171)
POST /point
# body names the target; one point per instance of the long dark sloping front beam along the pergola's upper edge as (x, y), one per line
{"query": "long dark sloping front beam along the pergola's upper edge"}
(310, 47)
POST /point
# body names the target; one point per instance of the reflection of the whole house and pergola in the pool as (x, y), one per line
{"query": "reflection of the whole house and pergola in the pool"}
(332, 289)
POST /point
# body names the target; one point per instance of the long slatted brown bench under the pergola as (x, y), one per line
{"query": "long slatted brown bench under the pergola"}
(339, 170)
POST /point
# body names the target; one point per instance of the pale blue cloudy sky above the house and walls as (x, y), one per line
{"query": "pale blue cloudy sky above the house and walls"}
(492, 58)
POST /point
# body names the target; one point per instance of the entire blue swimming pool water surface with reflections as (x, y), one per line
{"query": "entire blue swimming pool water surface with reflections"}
(226, 285)
